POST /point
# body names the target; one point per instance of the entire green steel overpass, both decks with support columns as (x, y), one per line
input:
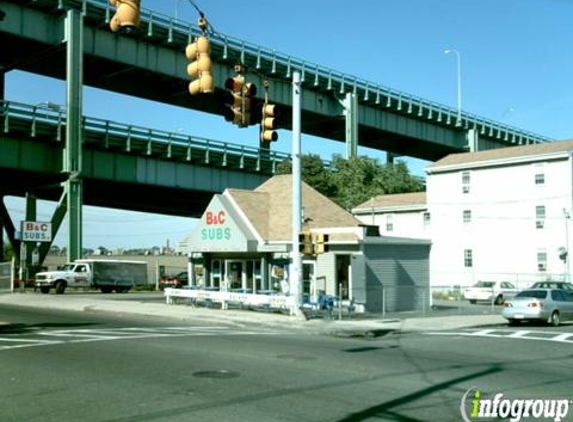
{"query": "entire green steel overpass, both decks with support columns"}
(142, 169)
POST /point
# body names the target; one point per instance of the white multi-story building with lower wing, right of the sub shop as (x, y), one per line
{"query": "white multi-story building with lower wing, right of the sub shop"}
(500, 214)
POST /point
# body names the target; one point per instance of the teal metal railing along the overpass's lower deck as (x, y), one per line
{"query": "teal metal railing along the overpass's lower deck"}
(39, 121)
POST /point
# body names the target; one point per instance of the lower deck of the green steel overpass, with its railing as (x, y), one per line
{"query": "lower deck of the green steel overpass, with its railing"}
(124, 166)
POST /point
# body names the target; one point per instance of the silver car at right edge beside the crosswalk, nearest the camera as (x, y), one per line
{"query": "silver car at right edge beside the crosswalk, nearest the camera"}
(550, 305)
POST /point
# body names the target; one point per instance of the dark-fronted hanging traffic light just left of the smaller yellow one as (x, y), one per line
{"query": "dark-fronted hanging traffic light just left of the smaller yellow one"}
(239, 99)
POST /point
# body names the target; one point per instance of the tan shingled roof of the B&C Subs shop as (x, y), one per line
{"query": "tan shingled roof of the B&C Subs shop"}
(269, 209)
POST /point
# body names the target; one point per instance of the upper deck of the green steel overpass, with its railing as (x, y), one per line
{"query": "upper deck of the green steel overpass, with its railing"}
(151, 64)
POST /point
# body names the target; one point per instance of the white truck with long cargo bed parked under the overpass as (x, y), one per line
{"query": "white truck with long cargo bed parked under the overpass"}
(106, 275)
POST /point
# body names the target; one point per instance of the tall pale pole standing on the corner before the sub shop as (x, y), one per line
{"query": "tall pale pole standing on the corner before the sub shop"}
(296, 265)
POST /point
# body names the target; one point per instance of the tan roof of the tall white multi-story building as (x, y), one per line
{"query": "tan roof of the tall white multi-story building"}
(502, 154)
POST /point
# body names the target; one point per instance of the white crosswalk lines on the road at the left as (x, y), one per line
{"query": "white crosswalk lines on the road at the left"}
(17, 341)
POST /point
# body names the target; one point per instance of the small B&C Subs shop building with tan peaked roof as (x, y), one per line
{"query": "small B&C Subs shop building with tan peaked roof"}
(240, 251)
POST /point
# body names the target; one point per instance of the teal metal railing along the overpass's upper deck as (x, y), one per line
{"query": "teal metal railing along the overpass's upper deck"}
(166, 29)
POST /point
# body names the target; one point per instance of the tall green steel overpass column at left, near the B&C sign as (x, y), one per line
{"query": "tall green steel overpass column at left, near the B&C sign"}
(73, 151)
